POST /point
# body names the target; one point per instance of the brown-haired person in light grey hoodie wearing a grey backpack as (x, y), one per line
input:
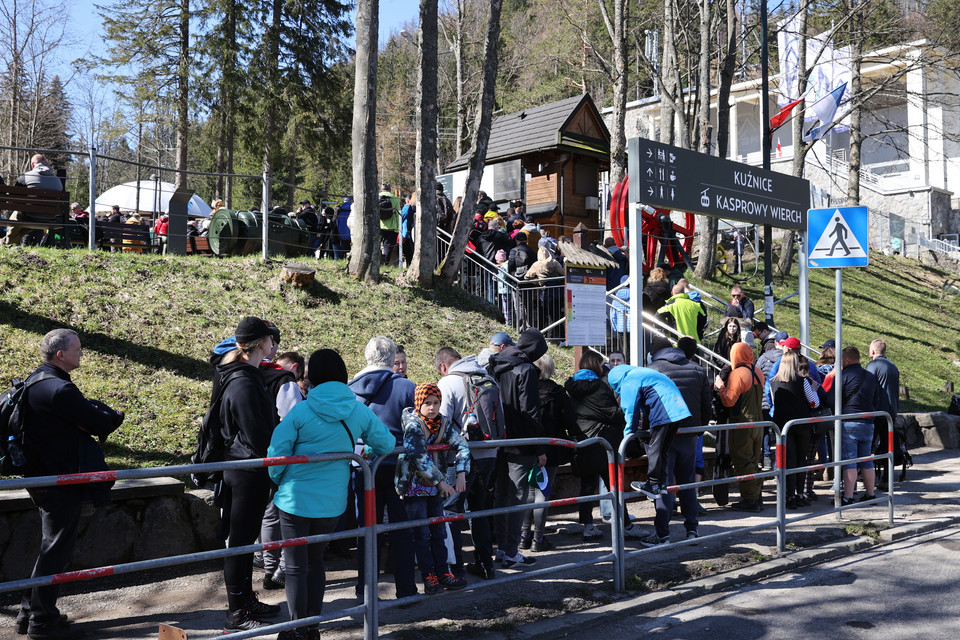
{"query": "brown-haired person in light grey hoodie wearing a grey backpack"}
(455, 405)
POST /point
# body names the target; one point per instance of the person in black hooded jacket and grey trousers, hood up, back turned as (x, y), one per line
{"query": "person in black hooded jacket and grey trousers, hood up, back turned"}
(517, 376)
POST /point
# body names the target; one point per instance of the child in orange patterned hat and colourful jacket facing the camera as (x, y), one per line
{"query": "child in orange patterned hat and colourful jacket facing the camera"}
(420, 482)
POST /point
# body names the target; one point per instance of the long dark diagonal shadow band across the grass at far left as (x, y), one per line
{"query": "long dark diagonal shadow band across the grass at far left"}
(108, 345)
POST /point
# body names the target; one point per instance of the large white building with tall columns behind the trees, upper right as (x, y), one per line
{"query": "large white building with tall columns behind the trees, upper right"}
(910, 159)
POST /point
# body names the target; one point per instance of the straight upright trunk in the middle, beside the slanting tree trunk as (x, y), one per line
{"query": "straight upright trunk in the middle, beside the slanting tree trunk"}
(425, 234)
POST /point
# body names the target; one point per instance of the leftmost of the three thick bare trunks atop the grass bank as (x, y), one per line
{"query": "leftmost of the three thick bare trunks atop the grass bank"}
(364, 228)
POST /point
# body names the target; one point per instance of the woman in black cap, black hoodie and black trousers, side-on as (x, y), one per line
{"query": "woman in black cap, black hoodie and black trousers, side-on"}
(247, 414)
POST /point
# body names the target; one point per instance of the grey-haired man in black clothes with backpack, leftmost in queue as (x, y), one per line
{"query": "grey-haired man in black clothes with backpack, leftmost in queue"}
(59, 428)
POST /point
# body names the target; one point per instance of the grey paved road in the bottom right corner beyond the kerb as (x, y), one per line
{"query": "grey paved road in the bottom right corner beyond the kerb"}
(904, 590)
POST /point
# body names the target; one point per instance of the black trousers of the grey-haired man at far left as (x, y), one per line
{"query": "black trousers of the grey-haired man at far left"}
(59, 517)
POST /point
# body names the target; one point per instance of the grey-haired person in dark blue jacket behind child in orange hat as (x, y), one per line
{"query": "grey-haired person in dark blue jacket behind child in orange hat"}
(387, 394)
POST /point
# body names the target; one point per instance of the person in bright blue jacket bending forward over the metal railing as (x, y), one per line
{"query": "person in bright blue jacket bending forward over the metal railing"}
(650, 402)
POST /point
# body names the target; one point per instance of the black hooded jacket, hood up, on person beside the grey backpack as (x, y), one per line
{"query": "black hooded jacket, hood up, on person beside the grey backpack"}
(518, 378)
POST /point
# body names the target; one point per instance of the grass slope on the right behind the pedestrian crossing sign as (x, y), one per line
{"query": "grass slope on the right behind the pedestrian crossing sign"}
(914, 307)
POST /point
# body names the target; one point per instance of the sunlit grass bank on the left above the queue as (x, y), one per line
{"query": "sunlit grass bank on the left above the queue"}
(148, 323)
